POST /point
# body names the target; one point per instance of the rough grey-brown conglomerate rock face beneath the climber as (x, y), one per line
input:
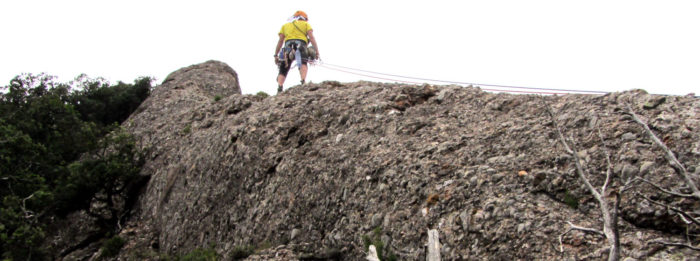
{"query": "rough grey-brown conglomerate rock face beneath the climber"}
(311, 172)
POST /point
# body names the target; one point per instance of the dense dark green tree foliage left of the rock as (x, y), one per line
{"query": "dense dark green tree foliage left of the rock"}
(60, 149)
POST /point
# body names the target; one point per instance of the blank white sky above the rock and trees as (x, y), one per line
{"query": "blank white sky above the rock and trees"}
(597, 45)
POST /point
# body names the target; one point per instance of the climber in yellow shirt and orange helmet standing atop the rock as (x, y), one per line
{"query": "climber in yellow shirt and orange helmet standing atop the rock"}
(295, 35)
